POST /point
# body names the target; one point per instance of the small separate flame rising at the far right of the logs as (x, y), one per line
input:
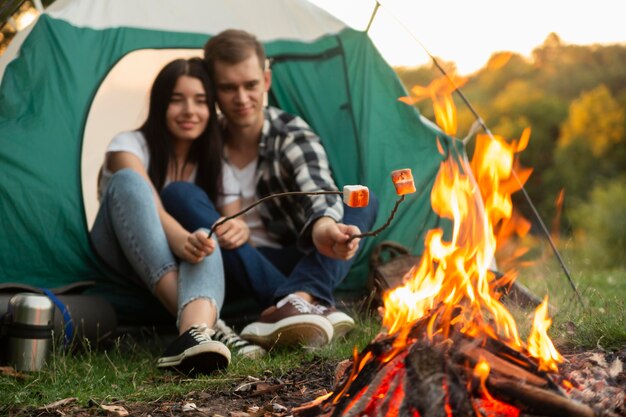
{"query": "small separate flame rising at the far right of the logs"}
(539, 344)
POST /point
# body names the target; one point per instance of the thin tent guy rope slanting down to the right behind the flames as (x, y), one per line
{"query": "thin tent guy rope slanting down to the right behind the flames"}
(542, 225)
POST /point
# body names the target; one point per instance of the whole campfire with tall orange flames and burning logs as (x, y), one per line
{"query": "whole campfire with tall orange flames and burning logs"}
(449, 346)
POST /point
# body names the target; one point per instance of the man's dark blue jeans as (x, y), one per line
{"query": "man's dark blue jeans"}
(268, 273)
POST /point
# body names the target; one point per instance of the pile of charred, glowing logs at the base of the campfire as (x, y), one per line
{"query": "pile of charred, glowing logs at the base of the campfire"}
(436, 379)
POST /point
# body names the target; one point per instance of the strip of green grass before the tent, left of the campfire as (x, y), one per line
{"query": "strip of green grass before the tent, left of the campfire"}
(126, 371)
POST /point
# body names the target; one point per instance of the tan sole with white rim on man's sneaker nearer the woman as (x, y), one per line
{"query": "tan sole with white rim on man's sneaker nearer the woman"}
(307, 330)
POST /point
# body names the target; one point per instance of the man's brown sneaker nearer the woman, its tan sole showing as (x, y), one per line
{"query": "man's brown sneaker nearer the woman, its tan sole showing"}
(292, 322)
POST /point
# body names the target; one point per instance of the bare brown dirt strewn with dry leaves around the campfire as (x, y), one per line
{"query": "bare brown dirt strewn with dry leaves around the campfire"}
(599, 377)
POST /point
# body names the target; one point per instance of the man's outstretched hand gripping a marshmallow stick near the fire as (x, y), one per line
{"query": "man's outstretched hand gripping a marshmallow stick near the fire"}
(331, 238)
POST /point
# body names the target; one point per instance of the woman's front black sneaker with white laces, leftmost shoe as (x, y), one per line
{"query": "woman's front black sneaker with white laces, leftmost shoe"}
(194, 352)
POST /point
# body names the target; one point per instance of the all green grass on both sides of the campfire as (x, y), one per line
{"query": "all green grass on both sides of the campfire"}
(126, 370)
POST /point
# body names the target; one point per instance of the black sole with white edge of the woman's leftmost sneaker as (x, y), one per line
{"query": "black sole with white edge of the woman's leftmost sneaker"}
(204, 358)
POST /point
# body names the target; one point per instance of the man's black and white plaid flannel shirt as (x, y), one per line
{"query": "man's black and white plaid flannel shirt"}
(292, 158)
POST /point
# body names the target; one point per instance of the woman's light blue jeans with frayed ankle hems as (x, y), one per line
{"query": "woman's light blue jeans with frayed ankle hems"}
(128, 236)
